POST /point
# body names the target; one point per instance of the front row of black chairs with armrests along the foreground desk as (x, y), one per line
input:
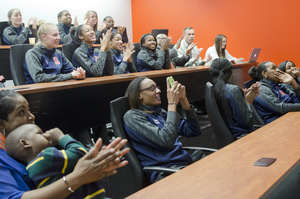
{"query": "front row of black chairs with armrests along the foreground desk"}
(224, 137)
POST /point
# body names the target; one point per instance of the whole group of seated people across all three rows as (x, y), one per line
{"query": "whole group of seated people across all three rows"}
(152, 131)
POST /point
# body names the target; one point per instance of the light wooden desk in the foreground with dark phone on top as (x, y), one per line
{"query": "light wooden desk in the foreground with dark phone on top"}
(229, 172)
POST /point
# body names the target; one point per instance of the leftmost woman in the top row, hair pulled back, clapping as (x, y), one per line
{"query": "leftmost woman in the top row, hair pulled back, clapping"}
(16, 33)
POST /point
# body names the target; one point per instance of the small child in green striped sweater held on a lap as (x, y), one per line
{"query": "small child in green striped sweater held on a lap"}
(45, 164)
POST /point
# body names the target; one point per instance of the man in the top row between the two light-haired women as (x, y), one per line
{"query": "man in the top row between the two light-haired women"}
(64, 24)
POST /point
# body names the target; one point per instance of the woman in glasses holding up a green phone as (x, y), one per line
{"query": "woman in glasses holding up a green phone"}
(153, 132)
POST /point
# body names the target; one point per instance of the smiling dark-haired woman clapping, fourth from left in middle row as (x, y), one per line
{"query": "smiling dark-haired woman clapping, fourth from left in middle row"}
(150, 58)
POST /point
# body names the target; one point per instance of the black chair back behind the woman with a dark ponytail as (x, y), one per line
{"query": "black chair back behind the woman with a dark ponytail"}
(223, 135)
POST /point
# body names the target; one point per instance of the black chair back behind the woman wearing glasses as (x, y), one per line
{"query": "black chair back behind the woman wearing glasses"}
(118, 108)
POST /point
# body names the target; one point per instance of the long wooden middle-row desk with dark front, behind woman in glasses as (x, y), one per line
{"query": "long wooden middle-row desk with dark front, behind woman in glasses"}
(80, 104)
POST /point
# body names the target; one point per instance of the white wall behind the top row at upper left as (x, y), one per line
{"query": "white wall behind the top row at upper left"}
(120, 10)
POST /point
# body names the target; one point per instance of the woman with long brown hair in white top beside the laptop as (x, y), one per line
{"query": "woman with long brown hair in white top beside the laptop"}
(218, 50)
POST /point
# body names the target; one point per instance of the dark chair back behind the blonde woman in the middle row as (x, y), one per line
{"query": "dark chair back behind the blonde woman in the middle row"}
(17, 56)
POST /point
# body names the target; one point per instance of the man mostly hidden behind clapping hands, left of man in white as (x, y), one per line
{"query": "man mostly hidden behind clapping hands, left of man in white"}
(176, 61)
